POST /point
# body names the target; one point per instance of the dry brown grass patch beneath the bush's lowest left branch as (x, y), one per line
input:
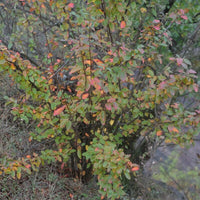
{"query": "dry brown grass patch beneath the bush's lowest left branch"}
(44, 185)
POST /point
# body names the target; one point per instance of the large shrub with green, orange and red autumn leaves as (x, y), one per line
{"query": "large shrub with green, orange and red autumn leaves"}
(106, 81)
